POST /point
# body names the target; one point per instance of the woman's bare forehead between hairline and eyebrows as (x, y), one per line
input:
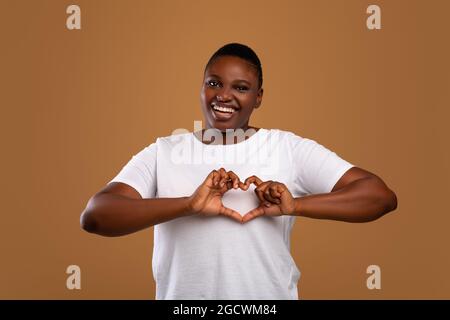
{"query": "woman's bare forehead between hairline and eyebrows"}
(232, 67)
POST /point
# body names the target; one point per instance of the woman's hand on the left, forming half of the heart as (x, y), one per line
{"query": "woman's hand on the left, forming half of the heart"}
(207, 199)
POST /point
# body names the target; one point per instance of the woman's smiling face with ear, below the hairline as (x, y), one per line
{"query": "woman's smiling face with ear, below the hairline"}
(229, 93)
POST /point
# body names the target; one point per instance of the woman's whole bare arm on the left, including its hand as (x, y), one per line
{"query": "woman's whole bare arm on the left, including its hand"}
(118, 209)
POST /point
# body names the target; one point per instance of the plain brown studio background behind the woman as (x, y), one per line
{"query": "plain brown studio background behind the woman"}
(76, 105)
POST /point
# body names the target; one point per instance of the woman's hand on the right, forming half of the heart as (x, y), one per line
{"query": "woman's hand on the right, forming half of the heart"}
(275, 198)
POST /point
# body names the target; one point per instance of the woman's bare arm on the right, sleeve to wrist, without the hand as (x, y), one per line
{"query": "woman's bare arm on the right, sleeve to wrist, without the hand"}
(359, 196)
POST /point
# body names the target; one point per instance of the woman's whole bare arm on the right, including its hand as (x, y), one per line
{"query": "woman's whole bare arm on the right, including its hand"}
(359, 196)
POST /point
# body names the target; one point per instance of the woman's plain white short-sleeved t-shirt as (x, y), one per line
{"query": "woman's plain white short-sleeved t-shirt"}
(198, 257)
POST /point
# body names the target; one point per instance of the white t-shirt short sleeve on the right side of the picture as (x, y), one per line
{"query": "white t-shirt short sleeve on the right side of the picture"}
(317, 168)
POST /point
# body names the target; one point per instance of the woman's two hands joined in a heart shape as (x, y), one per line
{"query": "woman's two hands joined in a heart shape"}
(275, 198)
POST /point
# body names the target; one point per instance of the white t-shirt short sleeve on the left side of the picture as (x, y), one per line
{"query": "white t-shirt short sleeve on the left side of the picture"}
(140, 172)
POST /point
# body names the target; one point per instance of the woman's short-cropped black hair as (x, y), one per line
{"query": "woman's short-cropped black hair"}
(239, 50)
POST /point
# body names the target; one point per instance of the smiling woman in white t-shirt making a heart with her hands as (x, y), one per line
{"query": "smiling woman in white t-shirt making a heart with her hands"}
(218, 235)
